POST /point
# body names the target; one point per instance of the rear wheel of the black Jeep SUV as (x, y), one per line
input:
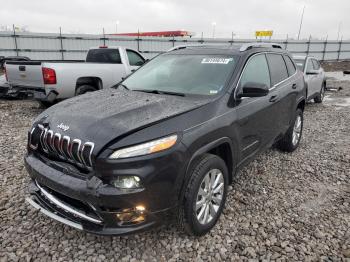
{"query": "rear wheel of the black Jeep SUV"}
(288, 143)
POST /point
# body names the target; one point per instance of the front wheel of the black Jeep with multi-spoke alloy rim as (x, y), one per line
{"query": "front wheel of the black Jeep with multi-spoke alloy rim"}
(189, 218)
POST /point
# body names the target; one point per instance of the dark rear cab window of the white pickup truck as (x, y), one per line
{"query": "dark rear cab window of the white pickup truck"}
(103, 55)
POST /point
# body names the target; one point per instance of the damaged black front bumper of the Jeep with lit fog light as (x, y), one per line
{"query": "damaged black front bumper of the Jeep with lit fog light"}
(88, 204)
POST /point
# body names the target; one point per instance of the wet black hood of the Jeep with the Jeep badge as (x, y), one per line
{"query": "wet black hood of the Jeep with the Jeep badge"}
(105, 115)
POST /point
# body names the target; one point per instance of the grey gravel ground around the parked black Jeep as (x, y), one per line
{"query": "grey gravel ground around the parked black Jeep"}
(282, 206)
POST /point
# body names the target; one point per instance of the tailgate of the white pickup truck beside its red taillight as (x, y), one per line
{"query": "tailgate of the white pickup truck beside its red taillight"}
(27, 74)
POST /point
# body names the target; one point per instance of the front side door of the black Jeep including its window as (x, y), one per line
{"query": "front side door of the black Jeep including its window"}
(257, 116)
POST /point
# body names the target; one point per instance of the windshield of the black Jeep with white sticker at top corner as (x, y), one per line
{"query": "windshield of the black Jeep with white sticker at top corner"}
(186, 74)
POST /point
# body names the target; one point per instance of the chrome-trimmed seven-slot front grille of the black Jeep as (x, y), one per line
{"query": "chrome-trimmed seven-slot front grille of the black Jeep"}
(62, 147)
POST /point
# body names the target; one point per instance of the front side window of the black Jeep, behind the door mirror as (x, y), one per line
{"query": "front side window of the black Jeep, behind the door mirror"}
(256, 71)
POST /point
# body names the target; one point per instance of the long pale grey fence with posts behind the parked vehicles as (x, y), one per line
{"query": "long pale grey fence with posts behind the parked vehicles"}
(50, 46)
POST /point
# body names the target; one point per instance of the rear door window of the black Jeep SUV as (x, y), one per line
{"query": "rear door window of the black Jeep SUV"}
(278, 68)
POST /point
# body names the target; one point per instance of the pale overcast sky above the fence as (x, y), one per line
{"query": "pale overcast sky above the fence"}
(322, 17)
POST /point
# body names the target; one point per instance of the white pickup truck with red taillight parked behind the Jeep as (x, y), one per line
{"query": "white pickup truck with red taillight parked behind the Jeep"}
(52, 81)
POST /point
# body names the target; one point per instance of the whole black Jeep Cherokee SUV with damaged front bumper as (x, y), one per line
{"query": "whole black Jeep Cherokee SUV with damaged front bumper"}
(168, 138)
